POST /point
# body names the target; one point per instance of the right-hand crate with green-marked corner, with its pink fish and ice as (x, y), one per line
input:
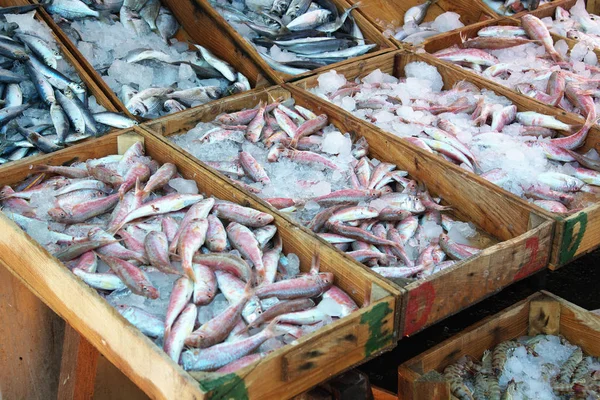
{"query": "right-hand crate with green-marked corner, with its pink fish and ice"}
(507, 142)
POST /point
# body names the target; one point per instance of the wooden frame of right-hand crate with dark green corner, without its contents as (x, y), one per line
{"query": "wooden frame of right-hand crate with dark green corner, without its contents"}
(576, 234)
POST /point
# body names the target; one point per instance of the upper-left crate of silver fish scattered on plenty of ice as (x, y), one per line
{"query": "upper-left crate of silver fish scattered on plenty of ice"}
(152, 57)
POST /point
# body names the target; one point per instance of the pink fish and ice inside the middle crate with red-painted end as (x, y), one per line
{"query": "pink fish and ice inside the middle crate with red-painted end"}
(301, 165)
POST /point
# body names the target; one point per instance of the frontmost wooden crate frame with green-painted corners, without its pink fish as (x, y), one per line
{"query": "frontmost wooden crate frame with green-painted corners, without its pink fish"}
(282, 374)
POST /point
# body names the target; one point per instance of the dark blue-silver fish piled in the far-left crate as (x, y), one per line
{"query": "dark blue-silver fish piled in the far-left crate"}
(45, 105)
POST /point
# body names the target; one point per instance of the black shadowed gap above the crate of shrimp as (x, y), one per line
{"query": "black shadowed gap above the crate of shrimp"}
(577, 282)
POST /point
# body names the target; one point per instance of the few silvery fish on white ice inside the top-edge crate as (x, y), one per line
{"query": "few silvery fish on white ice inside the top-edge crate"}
(415, 31)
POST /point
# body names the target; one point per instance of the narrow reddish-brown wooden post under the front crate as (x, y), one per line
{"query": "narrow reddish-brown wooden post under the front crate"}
(77, 368)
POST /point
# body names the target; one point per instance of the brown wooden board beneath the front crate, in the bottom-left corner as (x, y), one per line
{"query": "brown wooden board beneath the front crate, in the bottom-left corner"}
(31, 342)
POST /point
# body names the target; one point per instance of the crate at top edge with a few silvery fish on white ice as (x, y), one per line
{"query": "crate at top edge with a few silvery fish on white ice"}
(413, 22)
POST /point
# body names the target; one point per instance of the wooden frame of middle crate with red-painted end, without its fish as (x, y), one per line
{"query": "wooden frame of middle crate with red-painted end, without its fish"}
(525, 242)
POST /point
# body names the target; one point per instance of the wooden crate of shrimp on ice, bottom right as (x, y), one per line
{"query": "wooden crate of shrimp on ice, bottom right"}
(540, 348)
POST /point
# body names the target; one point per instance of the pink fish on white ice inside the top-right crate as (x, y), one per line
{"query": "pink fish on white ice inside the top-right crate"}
(526, 59)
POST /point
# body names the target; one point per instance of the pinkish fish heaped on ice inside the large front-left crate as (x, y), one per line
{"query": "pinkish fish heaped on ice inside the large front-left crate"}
(140, 262)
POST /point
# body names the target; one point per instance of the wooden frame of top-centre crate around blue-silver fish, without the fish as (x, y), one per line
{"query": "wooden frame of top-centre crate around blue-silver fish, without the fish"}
(223, 35)
